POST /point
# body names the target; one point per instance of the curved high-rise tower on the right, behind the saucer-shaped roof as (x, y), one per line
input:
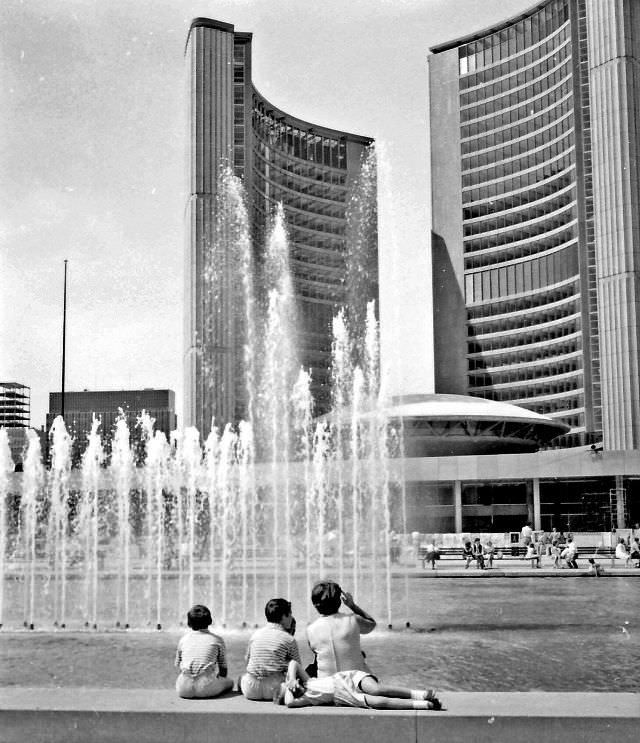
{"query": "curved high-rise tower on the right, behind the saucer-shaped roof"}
(536, 215)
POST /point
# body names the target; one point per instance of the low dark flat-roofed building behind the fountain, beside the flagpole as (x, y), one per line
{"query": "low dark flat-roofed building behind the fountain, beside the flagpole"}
(80, 408)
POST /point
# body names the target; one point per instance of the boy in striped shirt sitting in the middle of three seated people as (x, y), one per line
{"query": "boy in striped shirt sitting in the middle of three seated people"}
(270, 649)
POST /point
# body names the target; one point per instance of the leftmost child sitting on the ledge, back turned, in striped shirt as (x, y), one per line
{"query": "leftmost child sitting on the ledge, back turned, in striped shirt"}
(198, 654)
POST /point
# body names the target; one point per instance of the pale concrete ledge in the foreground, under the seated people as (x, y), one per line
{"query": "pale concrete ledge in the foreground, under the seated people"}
(79, 715)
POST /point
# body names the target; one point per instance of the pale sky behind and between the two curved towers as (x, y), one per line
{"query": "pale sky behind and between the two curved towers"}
(92, 168)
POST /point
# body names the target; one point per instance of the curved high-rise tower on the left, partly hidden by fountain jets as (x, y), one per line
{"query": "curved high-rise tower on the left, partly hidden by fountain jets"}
(315, 172)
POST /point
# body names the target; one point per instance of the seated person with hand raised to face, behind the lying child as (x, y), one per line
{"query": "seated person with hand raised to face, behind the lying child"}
(334, 637)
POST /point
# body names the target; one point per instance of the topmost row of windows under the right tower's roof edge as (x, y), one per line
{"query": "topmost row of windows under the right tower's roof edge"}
(515, 39)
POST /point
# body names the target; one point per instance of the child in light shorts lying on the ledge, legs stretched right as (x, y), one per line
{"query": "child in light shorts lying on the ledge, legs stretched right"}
(349, 689)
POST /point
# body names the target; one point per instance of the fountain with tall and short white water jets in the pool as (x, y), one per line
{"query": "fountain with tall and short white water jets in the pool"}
(130, 540)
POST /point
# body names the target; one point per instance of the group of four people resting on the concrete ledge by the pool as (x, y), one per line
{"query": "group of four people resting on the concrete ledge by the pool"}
(338, 675)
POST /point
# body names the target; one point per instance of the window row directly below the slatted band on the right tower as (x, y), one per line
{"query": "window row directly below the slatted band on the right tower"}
(515, 314)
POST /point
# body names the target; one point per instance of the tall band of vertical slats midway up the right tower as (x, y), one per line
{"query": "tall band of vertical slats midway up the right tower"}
(516, 278)
